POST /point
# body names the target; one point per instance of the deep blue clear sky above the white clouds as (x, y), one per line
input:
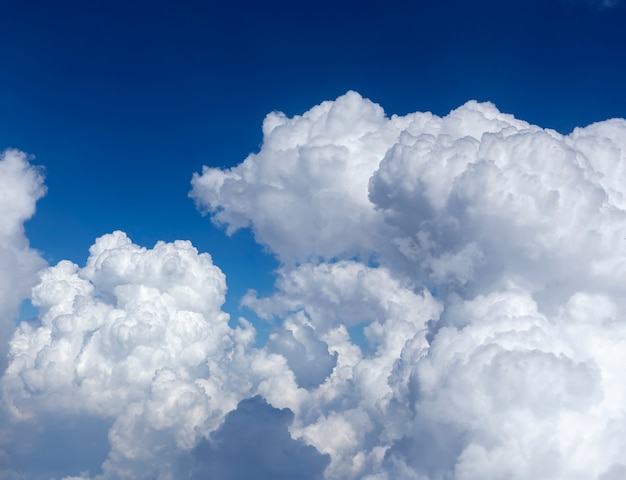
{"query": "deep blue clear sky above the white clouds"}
(123, 100)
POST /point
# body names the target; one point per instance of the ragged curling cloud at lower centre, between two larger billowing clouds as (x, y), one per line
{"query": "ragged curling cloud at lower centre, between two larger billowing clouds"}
(347, 415)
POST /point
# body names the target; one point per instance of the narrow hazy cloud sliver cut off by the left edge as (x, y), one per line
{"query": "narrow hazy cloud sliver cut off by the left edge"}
(21, 185)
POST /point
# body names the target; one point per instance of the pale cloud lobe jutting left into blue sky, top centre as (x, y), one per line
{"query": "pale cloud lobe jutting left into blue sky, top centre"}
(311, 170)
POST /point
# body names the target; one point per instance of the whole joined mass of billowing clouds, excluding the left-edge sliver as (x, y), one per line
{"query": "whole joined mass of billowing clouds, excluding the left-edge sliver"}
(449, 305)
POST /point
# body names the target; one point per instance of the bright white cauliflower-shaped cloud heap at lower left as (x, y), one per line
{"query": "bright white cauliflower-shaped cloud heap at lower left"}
(137, 338)
